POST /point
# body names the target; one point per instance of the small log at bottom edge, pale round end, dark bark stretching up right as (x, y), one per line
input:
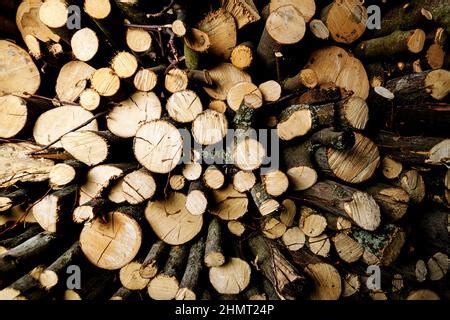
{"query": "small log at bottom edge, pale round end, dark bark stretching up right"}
(166, 284)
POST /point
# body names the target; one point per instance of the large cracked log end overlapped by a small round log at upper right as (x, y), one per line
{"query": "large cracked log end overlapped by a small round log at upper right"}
(171, 221)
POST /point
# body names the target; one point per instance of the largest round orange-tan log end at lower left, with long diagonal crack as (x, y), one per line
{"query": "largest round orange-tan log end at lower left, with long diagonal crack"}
(114, 244)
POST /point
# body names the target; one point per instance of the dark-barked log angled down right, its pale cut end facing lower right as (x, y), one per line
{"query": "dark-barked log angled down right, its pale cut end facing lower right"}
(344, 201)
